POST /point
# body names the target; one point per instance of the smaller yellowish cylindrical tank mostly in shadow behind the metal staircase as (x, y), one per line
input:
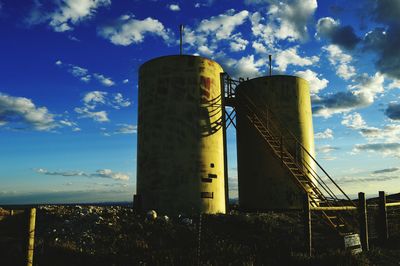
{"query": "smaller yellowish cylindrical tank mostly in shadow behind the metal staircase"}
(265, 183)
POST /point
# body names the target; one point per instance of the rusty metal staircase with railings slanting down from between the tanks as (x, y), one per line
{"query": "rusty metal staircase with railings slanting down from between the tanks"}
(323, 192)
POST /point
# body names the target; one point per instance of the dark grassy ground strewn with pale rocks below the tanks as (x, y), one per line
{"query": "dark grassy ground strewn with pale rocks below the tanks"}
(115, 235)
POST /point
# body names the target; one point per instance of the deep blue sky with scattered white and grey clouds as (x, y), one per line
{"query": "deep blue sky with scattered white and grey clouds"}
(68, 85)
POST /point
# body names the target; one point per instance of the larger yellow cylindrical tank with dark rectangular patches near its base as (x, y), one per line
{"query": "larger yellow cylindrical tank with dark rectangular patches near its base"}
(180, 159)
